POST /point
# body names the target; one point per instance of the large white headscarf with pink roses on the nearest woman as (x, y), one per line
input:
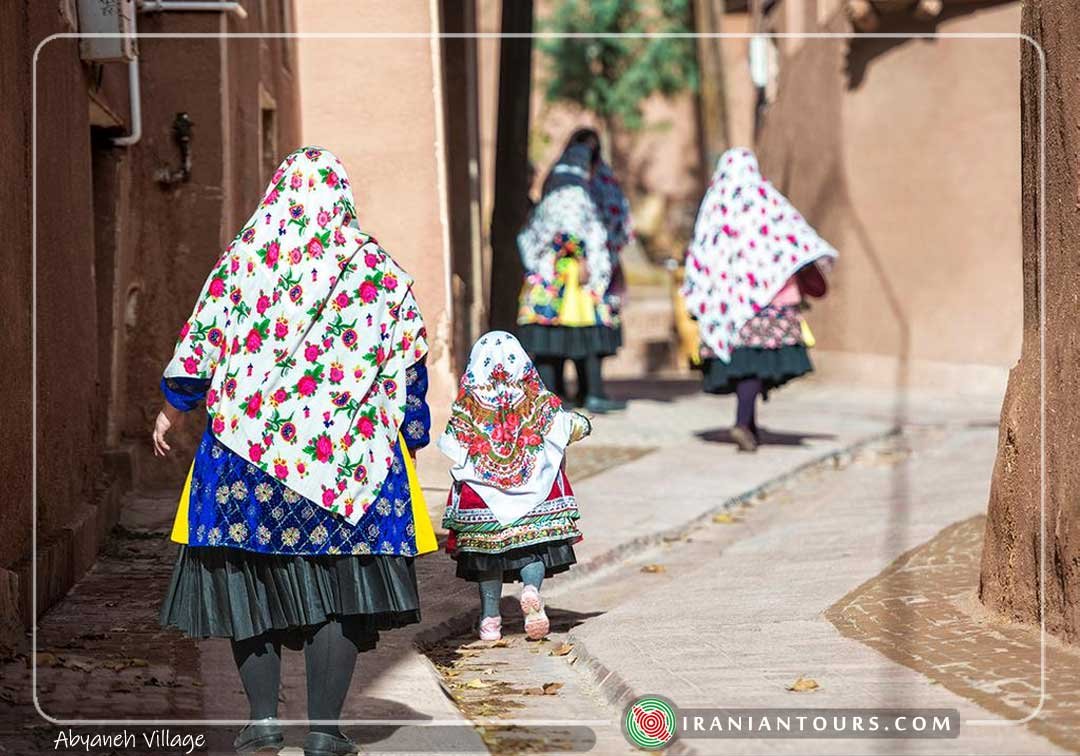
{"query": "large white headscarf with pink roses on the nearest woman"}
(304, 331)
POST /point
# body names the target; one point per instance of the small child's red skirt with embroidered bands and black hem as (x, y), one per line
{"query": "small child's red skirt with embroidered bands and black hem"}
(482, 547)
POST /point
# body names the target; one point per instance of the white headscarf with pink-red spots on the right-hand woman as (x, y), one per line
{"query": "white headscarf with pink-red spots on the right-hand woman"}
(748, 242)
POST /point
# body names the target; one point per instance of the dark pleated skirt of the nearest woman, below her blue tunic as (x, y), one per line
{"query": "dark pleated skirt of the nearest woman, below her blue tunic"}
(222, 592)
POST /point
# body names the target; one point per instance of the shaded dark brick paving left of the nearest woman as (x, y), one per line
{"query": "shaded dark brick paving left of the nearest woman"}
(102, 653)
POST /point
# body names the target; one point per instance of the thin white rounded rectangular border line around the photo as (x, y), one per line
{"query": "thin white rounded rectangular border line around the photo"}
(433, 36)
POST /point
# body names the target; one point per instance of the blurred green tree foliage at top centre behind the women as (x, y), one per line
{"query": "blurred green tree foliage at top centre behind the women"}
(613, 76)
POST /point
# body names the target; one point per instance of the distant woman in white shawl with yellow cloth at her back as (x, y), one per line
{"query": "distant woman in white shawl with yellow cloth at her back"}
(565, 310)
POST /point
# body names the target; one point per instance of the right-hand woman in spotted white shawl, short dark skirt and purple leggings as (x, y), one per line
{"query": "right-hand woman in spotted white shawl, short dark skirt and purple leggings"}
(752, 261)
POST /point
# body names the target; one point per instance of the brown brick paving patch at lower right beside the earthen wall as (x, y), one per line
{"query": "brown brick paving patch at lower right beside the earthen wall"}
(923, 613)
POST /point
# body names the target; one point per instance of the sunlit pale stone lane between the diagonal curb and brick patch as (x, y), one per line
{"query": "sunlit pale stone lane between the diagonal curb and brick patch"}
(737, 612)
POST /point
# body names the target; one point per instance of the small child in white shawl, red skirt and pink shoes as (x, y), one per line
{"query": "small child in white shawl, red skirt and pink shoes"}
(511, 514)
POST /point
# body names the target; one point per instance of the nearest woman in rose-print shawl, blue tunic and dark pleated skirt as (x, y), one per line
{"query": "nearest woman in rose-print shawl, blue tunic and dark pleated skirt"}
(301, 517)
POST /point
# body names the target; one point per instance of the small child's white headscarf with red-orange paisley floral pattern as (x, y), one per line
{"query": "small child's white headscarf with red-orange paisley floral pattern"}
(508, 433)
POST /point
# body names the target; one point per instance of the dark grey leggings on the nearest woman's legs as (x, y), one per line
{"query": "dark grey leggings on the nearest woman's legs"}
(330, 658)
